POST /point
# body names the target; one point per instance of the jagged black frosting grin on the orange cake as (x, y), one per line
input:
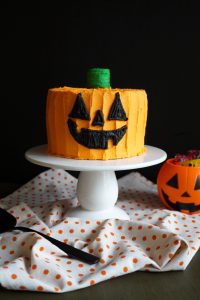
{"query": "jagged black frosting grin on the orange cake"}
(96, 139)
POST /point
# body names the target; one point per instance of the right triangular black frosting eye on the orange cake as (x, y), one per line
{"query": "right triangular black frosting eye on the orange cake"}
(117, 111)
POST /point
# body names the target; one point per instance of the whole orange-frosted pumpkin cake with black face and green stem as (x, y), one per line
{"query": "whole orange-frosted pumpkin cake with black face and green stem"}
(96, 122)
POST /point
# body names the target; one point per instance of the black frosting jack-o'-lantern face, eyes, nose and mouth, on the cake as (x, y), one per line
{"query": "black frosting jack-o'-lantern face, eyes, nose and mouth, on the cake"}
(97, 139)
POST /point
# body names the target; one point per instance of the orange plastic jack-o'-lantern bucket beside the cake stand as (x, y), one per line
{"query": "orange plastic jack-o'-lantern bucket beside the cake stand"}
(179, 187)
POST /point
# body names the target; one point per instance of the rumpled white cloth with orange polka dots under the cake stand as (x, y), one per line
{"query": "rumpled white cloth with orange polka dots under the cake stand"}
(156, 239)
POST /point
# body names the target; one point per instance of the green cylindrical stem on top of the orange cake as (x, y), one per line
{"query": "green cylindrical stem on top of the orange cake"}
(98, 78)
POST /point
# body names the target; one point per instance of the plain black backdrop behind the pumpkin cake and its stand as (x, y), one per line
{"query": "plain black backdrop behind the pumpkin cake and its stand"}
(148, 45)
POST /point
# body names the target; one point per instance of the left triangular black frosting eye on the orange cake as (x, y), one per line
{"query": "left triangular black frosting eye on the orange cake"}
(79, 109)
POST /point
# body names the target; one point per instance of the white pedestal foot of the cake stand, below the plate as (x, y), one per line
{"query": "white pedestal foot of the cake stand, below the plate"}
(97, 193)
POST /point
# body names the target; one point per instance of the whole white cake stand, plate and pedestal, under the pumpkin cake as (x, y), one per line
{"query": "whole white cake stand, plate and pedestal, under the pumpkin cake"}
(97, 188)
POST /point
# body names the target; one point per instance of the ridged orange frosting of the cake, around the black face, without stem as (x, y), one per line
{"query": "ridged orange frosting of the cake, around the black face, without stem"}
(60, 102)
